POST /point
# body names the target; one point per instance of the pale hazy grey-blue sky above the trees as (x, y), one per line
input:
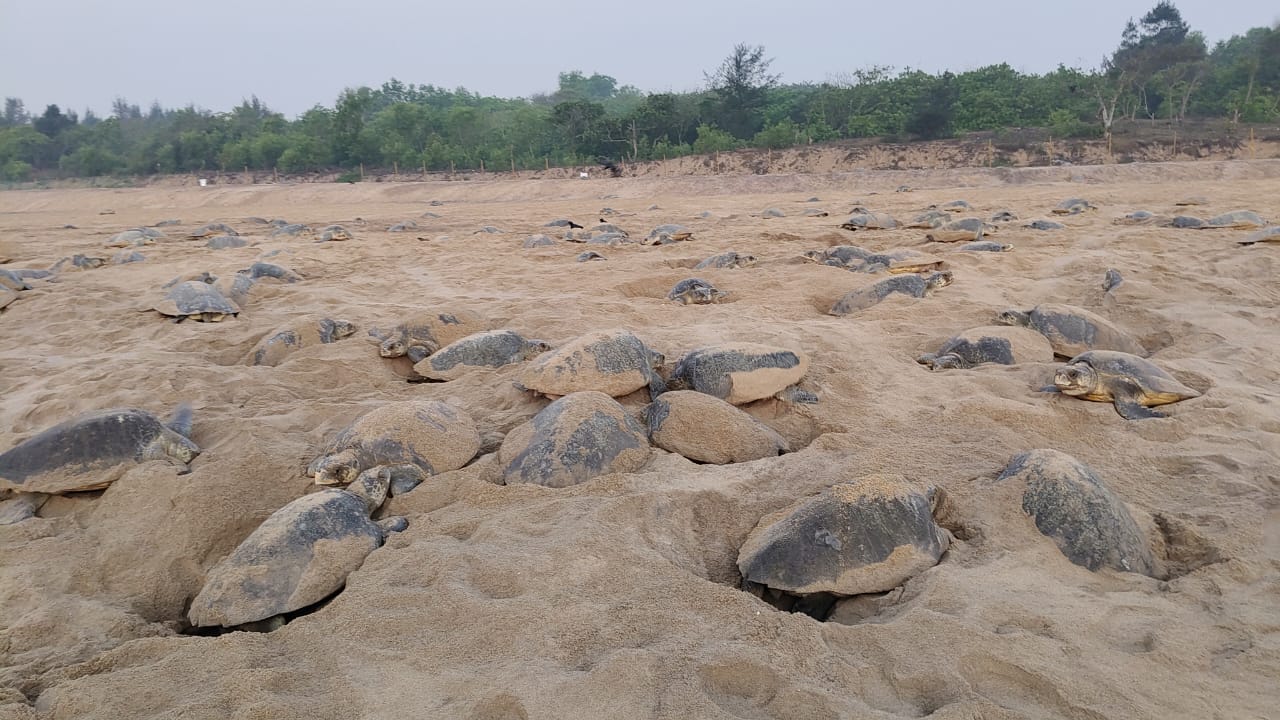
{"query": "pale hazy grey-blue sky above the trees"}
(295, 54)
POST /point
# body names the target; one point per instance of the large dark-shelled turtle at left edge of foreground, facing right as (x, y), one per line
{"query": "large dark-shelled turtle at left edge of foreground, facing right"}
(94, 450)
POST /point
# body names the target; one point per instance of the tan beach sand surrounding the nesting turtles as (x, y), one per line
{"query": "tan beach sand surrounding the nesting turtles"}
(619, 598)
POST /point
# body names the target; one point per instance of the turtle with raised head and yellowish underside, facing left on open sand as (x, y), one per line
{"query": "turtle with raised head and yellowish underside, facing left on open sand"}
(1130, 382)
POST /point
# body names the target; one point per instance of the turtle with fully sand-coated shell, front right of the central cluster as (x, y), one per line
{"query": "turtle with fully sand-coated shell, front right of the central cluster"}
(708, 430)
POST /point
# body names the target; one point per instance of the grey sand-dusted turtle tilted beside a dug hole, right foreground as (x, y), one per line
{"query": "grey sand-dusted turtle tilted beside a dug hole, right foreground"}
(1071, 504)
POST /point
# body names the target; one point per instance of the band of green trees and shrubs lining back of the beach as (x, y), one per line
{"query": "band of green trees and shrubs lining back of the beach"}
(1160, 71)
